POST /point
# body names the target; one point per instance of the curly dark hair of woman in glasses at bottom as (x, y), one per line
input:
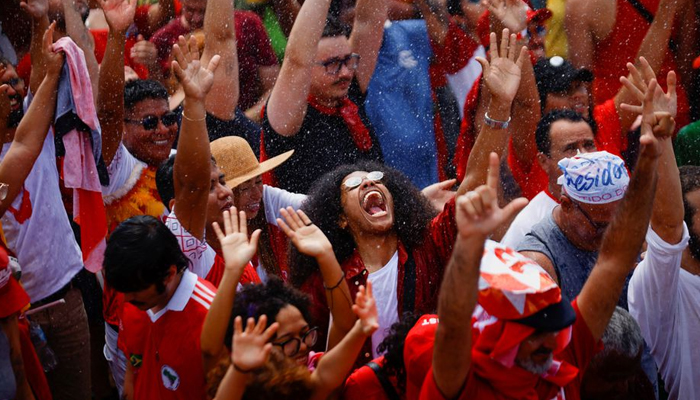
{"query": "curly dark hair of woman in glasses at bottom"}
(255, 300)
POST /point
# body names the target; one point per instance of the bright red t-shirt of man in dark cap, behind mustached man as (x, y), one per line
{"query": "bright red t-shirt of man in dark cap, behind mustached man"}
(532, 178)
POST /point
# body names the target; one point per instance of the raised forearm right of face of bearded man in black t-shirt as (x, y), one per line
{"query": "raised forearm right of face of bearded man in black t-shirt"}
(366, 37)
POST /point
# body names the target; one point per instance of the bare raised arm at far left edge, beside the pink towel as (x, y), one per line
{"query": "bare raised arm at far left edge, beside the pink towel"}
(34, 126)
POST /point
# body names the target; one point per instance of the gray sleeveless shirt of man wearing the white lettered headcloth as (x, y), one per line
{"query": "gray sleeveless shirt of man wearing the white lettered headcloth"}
(572, 265)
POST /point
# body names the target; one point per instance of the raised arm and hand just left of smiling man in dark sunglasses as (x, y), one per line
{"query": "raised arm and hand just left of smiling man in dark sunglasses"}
(119, 15)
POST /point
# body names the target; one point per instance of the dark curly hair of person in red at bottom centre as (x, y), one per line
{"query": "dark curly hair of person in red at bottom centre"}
(392, 347)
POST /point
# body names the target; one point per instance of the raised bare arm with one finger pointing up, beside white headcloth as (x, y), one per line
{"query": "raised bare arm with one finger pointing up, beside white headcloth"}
(625, 235)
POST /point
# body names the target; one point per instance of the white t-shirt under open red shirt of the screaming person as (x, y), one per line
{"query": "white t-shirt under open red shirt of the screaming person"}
(384, 287)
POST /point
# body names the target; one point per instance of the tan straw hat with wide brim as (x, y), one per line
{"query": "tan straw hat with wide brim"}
(237, 161)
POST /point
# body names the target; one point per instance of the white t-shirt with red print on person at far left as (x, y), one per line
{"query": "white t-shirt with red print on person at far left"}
(44, 243)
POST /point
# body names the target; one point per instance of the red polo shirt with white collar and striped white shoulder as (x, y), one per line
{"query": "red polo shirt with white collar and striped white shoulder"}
(163, 349)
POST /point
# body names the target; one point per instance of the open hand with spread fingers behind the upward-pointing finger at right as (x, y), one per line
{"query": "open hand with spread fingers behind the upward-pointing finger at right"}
(638, 84)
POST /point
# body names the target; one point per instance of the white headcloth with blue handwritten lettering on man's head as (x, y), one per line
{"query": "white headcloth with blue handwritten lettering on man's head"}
(594, 178)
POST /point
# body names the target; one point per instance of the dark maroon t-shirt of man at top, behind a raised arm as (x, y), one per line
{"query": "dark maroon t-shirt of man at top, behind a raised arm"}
(252, 42)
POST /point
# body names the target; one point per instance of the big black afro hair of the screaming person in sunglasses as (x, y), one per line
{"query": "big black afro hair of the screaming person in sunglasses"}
(412, 214)
